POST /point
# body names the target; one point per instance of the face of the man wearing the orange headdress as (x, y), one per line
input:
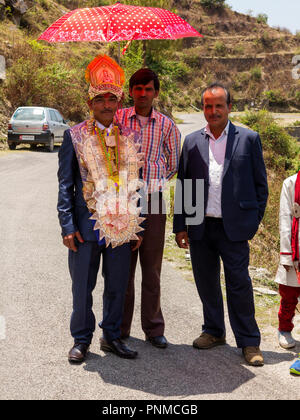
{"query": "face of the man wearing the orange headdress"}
(104, 108)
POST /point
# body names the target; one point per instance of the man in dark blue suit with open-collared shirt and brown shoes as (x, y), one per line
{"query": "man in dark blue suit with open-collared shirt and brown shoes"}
(230, 162)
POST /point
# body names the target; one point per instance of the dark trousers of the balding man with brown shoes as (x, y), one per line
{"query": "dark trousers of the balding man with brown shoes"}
(205, 256)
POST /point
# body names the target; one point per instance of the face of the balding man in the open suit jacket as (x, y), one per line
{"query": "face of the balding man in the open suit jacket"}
(215, 108)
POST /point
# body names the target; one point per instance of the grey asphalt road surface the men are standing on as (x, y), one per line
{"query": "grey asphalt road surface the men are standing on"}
(35, 307)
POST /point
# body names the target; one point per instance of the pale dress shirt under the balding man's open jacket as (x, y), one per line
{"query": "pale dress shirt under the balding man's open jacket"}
(217, 149)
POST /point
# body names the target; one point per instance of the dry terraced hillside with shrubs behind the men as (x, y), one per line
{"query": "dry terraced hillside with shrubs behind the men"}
(253, 59)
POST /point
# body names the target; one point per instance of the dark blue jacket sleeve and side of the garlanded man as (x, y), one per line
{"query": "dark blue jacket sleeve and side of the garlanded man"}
(73, 213)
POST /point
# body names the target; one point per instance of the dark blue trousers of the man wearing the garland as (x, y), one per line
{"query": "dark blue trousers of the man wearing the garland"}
(84, 266)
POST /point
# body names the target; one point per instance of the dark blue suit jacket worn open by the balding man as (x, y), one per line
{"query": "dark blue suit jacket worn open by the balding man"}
(244, 182)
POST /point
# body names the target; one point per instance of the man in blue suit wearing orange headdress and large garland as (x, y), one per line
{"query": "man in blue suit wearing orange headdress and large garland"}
(93, 165)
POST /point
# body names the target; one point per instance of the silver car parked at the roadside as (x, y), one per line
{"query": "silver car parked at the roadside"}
(36, 125)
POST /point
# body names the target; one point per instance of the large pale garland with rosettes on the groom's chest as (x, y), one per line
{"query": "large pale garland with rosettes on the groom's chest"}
(110, 188)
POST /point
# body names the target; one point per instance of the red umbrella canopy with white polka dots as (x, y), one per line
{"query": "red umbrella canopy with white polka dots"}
(118, 22)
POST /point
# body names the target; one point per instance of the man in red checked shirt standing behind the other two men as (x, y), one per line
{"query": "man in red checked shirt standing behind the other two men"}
(161, 145)
